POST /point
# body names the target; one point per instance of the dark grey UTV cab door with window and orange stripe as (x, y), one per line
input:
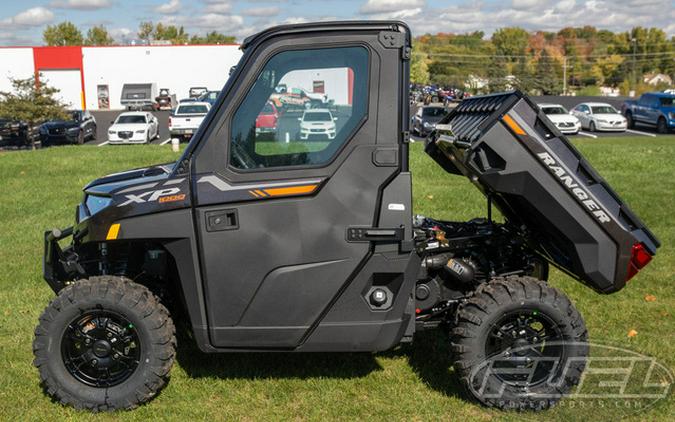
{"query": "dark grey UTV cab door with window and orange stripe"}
(287, 215)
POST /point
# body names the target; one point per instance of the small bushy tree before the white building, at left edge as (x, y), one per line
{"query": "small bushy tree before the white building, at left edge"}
(31, 102)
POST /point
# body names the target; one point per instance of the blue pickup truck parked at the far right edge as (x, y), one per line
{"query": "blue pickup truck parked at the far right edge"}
(656, 109)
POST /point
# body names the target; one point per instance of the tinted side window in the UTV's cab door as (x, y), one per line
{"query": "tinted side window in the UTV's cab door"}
(284, 122)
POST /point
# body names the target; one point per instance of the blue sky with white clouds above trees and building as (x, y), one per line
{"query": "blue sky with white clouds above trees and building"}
(22, 22)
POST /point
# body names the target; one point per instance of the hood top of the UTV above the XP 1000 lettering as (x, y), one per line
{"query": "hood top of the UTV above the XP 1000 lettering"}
(107, 185)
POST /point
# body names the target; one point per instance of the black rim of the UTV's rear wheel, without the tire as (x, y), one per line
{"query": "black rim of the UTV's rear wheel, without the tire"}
(527, 347)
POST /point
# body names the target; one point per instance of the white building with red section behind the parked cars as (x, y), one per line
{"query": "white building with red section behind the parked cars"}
(81, 73)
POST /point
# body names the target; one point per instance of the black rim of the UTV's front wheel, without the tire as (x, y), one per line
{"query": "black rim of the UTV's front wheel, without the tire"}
(101, 348)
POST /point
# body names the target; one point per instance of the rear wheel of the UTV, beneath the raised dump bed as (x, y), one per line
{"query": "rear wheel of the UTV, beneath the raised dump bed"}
(519, 344)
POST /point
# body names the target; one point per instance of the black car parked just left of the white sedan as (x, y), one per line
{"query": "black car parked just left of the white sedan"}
(79, 128)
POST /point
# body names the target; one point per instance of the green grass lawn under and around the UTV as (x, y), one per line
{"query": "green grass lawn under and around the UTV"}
(39, 190)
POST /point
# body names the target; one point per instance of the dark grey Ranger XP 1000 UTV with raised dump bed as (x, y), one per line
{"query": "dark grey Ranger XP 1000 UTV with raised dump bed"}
(311, 245)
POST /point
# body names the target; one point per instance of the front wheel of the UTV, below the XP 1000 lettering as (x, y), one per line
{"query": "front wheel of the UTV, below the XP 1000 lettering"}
(104, 343)
